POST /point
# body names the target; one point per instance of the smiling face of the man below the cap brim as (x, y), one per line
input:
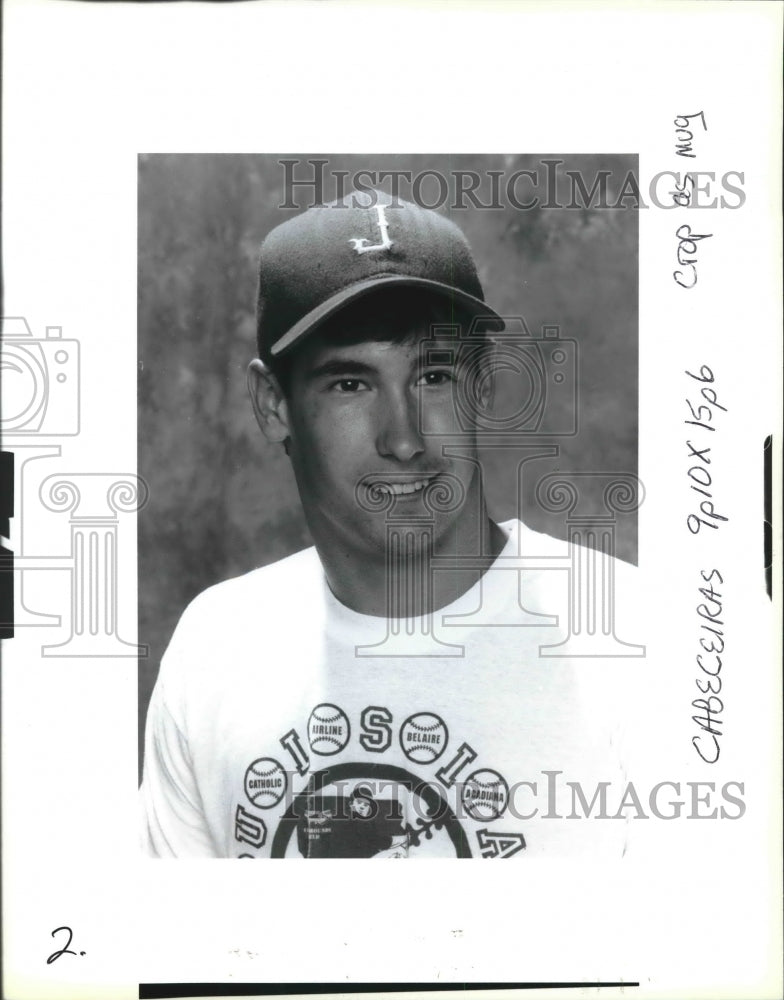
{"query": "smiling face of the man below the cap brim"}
(373, 412)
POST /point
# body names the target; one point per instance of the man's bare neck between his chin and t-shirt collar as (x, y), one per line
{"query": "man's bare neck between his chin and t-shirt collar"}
(404, 582)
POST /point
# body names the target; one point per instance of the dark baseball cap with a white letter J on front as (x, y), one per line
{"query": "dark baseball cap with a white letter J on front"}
(318, 262)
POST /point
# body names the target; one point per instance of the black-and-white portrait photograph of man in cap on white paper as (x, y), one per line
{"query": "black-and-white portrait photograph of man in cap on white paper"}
(397, 668)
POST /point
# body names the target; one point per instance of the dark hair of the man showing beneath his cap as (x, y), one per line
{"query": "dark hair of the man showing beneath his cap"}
(388, 314)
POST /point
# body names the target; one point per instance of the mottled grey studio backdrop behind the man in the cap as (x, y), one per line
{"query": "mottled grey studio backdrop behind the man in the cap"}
(222, 501)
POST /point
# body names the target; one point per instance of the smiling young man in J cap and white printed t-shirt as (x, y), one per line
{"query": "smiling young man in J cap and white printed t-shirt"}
(408, 665)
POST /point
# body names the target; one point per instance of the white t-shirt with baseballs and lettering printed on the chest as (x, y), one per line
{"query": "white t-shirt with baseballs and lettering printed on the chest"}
(283, 724)
